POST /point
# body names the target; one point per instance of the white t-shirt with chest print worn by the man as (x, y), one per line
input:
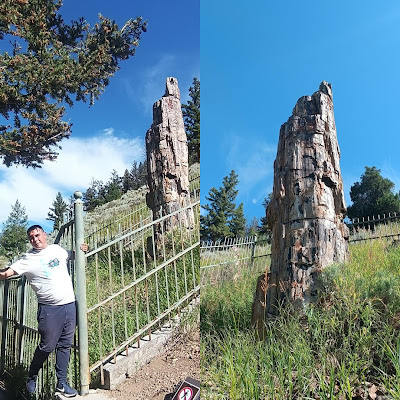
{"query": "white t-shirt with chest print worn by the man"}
(46, 270)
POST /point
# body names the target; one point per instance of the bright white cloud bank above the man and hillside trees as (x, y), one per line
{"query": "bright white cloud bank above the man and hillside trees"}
(80, 160)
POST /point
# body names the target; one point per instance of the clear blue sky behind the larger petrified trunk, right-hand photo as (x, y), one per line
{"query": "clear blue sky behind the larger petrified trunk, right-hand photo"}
(259, 57)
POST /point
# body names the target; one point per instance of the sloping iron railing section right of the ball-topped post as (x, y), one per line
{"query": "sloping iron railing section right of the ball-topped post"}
(136, 281)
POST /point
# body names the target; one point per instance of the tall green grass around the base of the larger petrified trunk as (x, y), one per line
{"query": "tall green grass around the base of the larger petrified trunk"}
(336, 350)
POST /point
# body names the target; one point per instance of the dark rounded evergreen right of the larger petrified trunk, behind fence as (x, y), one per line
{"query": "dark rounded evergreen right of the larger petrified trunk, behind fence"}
(373, 195)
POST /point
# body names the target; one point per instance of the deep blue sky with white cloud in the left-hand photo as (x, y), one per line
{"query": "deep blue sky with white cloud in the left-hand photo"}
(110, 134)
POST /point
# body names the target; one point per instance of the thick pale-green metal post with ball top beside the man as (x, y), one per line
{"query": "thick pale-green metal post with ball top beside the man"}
(83, 343)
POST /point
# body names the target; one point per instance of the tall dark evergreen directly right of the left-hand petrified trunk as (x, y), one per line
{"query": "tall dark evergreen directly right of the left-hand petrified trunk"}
(191, 115)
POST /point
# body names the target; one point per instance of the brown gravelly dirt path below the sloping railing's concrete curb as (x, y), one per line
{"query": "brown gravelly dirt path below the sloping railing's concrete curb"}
(159, 379)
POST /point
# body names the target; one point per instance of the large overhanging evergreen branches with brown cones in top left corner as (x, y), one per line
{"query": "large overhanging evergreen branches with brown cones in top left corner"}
(52, 64)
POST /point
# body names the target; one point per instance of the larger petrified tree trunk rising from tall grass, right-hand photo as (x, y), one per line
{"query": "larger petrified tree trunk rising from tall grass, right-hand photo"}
(307, 209)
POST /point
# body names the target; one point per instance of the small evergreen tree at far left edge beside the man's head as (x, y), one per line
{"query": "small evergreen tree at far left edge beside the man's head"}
(13, 240)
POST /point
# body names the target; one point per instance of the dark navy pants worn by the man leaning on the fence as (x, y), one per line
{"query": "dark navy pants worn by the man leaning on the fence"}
(56, 328)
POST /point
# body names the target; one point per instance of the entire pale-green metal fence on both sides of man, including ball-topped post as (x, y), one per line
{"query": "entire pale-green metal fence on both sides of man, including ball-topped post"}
(127, 286)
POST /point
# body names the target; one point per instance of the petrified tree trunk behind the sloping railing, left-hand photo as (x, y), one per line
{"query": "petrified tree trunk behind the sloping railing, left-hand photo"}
(167, 162)
